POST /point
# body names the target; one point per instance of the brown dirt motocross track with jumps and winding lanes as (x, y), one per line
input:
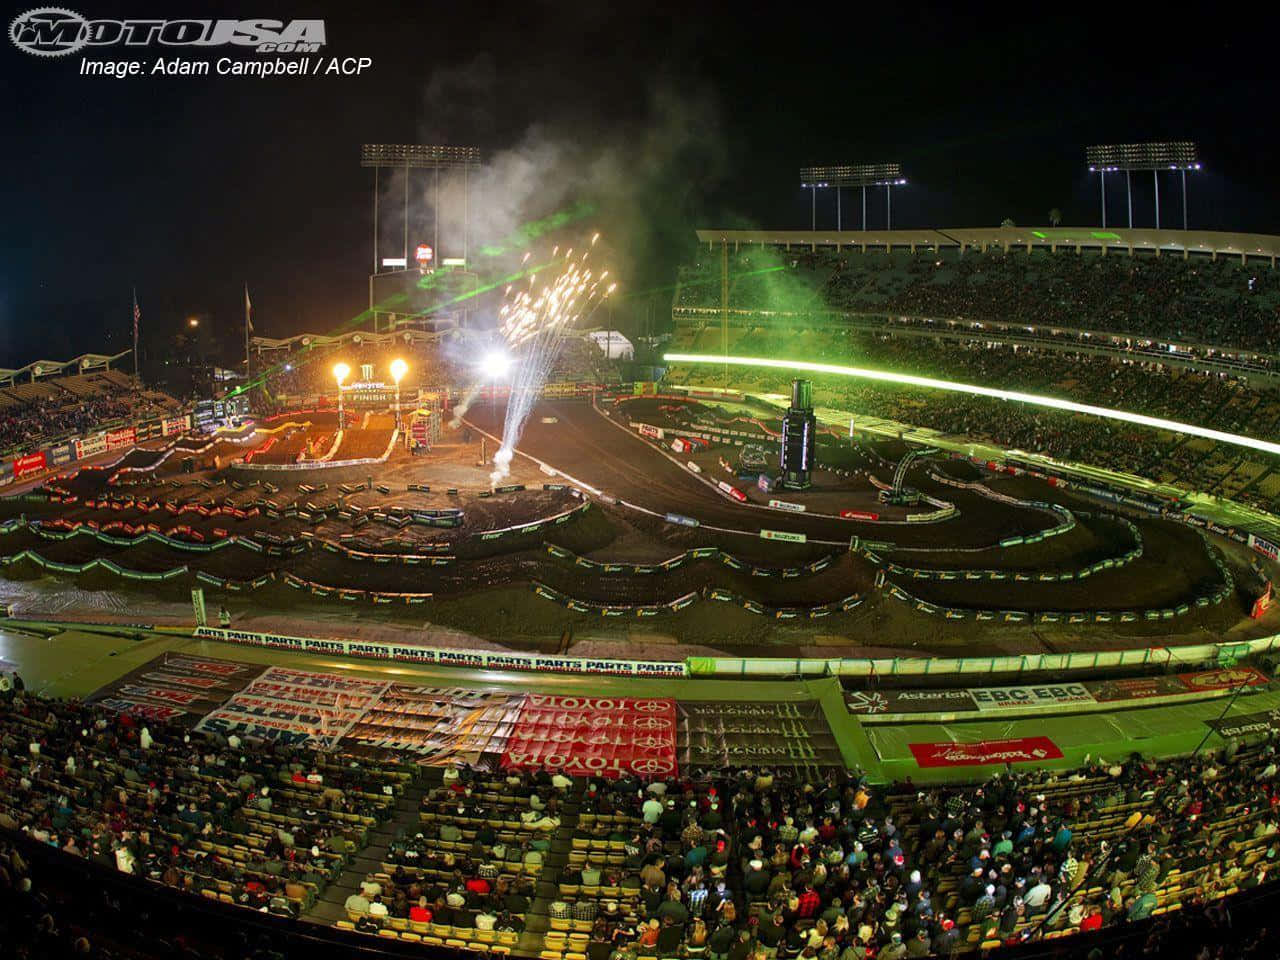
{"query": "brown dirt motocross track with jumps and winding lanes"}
(751, 595)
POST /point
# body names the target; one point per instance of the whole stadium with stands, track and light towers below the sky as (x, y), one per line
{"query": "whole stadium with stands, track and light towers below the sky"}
(900, 593)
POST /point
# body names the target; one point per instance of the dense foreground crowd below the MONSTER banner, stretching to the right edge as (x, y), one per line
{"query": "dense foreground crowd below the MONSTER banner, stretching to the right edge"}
(764, 865)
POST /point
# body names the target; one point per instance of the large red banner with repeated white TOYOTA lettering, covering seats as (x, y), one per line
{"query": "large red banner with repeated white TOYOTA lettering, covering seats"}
(607, 738)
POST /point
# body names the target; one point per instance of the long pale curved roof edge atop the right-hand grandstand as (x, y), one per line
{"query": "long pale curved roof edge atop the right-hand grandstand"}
(1209, 243)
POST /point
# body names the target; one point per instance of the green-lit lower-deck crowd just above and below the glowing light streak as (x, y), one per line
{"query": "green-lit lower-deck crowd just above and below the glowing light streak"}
(1210, 400)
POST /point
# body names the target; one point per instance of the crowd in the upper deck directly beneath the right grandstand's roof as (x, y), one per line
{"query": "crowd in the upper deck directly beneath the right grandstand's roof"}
(1223, 304)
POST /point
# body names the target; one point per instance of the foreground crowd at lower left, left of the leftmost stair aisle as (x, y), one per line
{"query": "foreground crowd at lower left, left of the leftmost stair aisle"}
(267, 828)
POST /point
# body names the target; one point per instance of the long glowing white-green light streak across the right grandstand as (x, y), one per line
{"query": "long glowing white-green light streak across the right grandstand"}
(1032, 399)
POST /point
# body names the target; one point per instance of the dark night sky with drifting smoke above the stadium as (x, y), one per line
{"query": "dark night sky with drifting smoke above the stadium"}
(666, 118)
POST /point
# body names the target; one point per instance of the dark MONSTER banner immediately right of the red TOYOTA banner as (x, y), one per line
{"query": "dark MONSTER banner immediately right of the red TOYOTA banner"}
(715, 737)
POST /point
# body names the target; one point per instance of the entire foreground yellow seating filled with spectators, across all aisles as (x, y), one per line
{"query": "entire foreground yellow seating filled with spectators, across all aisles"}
(743, 862)
